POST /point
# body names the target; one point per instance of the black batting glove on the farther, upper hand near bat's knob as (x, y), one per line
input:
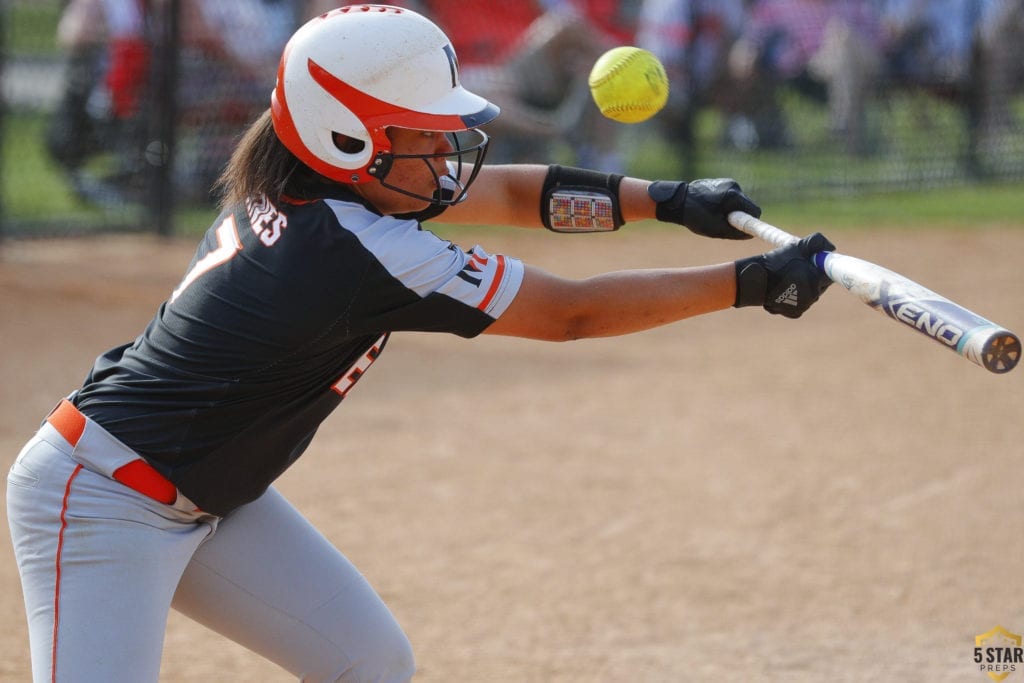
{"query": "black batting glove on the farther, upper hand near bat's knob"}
(703, 206)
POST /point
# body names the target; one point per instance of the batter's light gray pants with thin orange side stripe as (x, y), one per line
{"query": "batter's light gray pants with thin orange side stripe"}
(102, 565)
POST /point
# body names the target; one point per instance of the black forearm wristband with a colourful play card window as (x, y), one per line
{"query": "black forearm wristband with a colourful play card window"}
(576, 200)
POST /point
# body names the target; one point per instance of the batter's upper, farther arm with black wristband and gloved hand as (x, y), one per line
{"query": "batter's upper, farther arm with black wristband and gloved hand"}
(529, 196)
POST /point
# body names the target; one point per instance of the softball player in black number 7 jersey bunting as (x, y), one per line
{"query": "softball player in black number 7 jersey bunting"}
(150, 487)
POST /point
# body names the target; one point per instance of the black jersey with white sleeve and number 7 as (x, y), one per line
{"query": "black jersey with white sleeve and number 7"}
(282, 310)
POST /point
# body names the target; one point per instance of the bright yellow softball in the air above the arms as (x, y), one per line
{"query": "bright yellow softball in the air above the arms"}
(629, 84)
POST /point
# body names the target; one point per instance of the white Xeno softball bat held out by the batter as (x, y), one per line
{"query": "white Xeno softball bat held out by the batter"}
(977, 339)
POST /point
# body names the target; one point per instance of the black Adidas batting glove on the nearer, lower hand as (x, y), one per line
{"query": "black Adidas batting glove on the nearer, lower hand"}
(785, 281)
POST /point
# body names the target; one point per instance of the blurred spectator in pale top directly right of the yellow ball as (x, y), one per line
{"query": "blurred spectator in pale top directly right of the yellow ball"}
(693, 39)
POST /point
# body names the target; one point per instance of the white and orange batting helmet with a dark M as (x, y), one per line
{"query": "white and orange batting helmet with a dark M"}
(361, 69)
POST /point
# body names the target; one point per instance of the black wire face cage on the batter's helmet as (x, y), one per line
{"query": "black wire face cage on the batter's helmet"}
(464, 162)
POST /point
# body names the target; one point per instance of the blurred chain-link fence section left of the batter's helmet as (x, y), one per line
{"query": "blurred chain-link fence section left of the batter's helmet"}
(120, 114)
